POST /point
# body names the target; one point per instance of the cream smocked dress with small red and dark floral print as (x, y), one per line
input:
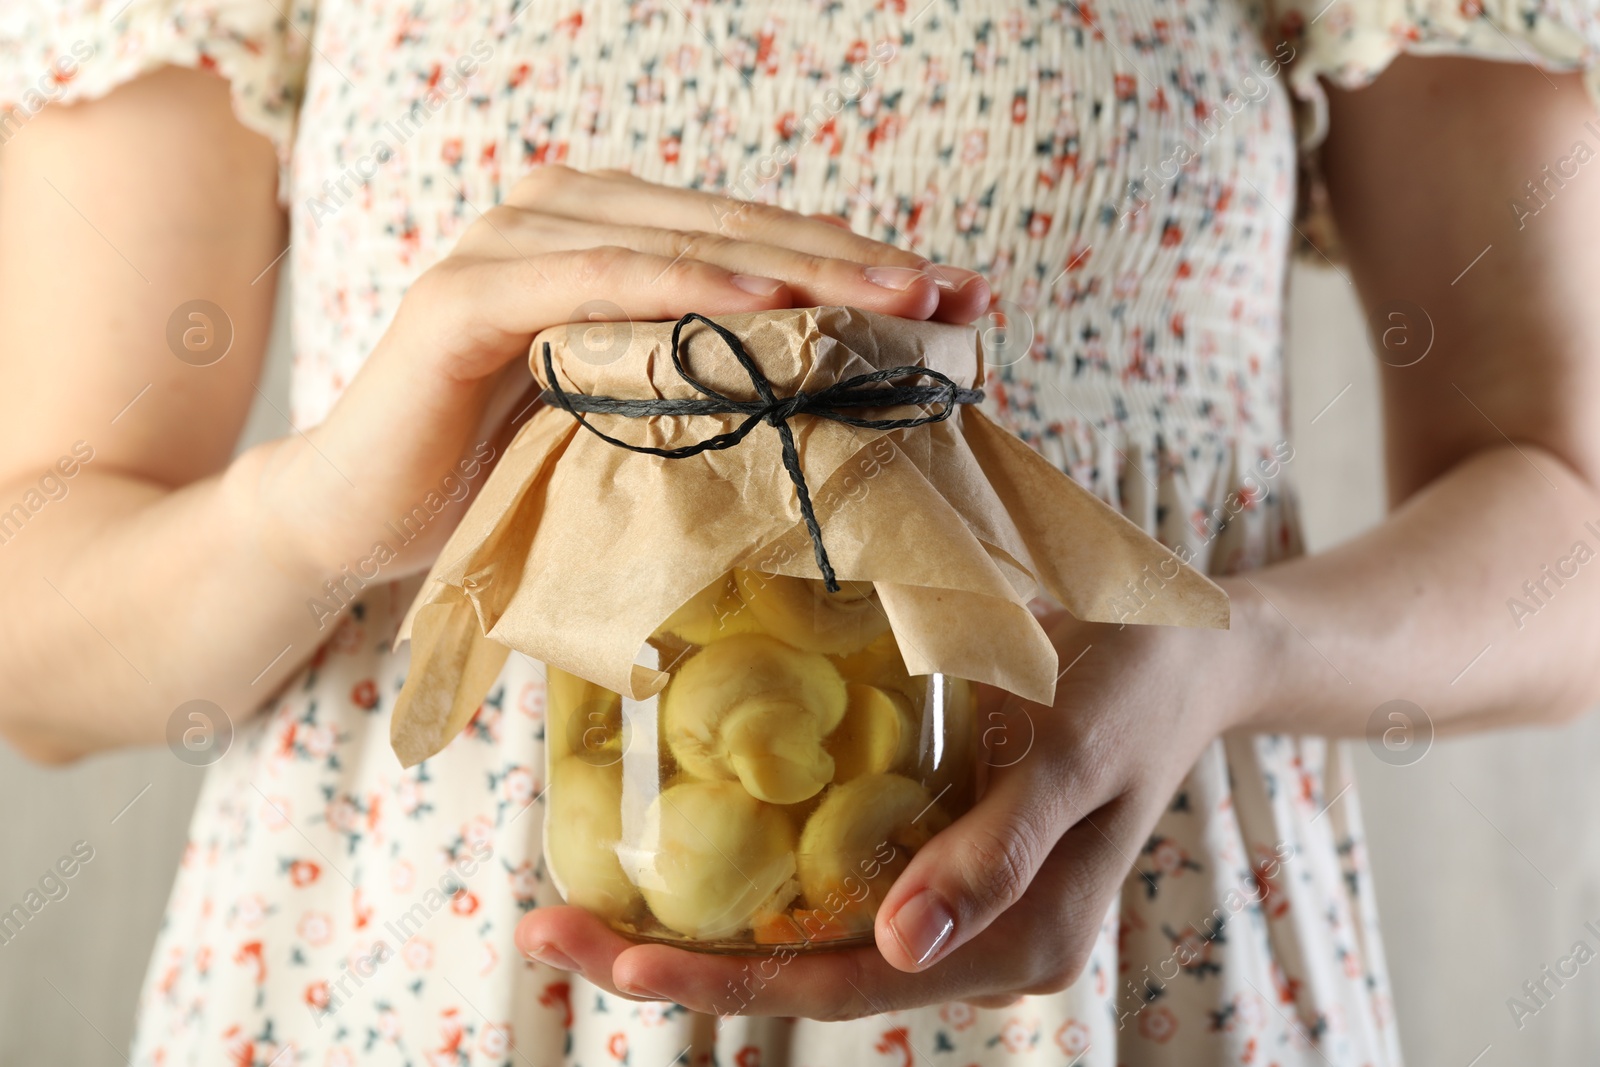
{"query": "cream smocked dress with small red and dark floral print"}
(1124, 175)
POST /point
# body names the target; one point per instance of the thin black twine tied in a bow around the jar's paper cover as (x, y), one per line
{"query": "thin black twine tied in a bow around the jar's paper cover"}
(826, 404)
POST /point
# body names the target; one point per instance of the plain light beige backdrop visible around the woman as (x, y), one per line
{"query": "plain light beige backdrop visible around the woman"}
(1466, 844)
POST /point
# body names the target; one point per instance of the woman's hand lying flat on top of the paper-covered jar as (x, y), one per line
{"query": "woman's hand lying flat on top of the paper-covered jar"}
(449, 372)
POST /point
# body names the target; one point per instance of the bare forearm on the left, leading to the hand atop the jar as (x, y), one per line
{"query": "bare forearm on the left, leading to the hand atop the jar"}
(126, 599)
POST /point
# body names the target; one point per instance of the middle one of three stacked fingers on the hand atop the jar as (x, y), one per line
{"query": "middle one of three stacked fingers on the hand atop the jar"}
(812, 279)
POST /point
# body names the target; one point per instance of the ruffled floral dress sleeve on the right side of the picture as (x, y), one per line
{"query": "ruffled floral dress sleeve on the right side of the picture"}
(1350, 44)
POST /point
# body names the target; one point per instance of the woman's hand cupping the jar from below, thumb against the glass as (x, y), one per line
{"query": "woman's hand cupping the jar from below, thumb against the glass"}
(1010, 898)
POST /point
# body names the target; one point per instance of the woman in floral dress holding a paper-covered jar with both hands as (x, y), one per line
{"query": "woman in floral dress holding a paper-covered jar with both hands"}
(1175, 873)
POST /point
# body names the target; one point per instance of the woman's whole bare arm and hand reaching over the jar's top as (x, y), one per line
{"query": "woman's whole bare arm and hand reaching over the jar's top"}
(252, 543)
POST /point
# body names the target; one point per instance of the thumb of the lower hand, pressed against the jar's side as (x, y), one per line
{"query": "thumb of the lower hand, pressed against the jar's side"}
(982, 865)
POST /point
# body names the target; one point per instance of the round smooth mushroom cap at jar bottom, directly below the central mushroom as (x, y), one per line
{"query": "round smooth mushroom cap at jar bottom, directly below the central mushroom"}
(714, 860)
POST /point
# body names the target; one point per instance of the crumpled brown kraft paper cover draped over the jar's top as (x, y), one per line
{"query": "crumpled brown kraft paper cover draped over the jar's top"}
(577, 551)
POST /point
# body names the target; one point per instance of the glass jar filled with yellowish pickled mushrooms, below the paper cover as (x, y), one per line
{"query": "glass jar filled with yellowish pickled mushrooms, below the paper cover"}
(774, 791)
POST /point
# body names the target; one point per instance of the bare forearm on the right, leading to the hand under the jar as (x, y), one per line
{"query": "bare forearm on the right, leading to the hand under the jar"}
(1426, 609)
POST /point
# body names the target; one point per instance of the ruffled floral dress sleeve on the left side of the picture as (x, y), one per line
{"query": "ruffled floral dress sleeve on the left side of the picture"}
(57, 52)
